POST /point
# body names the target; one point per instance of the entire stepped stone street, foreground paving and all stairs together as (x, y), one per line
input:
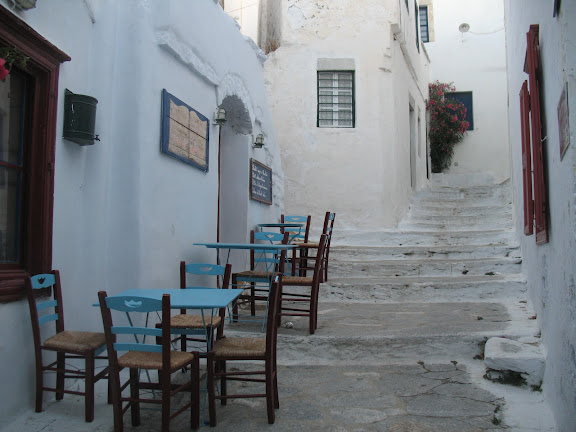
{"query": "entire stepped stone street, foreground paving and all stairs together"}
(403, 321)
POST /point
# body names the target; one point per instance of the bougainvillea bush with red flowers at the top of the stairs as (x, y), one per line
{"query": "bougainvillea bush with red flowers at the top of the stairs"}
(447, 124)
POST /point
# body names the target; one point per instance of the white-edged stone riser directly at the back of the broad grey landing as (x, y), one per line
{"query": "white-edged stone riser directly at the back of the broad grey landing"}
(430, 289)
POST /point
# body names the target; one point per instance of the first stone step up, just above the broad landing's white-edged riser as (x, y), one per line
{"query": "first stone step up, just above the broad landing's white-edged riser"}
(422, 268)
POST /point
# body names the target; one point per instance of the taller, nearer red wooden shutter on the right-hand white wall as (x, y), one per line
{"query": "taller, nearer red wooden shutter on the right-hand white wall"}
(540, 206)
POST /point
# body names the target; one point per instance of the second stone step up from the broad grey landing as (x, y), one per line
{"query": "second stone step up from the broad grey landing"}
(374, 253)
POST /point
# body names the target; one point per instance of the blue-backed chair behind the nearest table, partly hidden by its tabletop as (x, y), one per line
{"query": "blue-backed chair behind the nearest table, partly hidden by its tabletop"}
(198, 328)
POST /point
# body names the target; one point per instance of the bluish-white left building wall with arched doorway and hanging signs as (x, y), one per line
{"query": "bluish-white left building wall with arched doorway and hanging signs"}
(125, 214)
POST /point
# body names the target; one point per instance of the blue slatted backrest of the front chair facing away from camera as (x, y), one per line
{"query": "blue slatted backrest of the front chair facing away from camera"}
(133, 337)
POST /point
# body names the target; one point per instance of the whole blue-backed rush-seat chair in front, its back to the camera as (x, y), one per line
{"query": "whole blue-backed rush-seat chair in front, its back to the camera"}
(140, 355)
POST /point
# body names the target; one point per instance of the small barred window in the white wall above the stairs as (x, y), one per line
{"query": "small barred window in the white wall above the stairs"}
(336, 99)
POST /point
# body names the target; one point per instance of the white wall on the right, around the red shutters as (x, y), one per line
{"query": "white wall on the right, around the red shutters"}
(549, 268)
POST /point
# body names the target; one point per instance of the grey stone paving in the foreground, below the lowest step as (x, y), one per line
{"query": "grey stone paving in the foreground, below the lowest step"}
(381, 398)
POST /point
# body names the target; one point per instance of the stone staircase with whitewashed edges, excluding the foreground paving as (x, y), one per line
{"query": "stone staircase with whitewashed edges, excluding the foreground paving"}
(435, 289)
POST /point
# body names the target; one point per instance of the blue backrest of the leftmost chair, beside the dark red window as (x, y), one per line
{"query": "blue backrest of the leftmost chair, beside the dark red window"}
(45, 302)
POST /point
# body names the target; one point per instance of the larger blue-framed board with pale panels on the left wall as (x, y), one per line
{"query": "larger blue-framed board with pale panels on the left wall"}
(184, 132)
